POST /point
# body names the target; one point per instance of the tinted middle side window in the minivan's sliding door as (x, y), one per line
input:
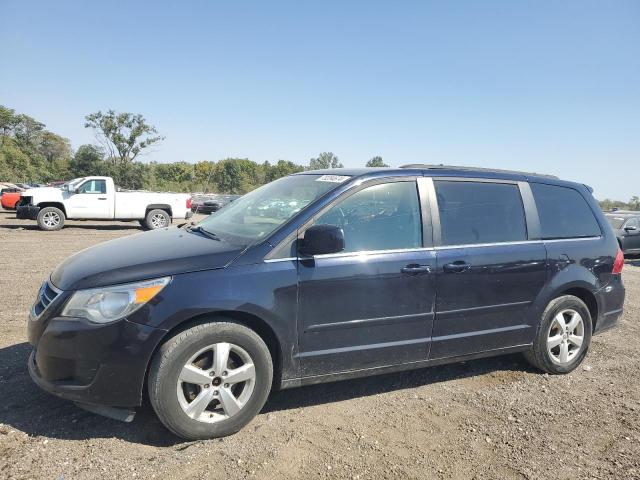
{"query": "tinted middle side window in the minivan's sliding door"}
(480, 212)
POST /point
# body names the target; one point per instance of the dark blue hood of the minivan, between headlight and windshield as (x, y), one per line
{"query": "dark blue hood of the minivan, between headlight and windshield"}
(142, 256)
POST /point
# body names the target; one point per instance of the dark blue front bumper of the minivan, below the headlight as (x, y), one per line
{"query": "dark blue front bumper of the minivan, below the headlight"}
(92, 364)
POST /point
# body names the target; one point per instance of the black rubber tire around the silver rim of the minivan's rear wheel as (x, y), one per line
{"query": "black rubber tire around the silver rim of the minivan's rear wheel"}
(542, 356)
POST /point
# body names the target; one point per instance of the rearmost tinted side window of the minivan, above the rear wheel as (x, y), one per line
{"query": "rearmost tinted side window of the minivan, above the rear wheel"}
(563, 212)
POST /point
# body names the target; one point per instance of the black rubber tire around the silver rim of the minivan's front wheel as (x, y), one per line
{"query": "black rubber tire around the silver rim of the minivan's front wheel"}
(163, 378)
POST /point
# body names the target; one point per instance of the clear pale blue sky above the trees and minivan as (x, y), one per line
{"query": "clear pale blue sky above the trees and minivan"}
(544, 86)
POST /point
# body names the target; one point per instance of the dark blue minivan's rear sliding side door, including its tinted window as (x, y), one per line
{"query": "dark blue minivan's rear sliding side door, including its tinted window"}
(488, 271)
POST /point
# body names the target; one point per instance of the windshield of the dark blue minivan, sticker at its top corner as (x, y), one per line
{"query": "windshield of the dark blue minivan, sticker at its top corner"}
(258, 213)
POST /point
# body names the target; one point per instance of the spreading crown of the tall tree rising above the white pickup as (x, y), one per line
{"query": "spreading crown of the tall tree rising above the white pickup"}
(123, 135)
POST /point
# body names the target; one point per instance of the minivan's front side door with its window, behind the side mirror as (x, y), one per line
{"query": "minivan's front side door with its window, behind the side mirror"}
(371, 305)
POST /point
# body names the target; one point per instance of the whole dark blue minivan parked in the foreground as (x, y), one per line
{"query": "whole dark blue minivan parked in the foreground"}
(323, 276)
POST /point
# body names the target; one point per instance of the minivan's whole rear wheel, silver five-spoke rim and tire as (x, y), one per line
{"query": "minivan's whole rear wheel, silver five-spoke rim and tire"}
(557, 360)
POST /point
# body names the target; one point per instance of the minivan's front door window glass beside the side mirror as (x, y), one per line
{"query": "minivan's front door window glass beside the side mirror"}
(380, 217)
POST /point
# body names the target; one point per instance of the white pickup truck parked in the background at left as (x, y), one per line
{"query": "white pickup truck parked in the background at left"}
(96, 198)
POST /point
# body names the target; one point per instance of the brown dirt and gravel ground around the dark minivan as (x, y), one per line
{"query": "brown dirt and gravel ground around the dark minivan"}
(494, 418)
